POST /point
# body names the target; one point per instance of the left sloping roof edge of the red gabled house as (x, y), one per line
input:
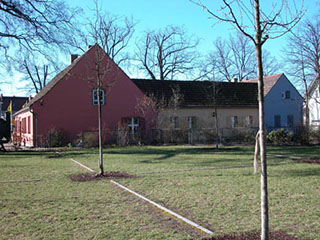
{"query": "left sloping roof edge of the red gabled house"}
(58, 77)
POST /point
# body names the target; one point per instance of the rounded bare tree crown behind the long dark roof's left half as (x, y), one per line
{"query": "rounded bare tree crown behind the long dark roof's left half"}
(166, 53)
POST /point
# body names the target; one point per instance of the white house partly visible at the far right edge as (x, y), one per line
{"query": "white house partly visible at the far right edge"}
(314, 103)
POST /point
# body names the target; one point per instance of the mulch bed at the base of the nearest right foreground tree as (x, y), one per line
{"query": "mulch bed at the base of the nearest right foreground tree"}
(274, 235)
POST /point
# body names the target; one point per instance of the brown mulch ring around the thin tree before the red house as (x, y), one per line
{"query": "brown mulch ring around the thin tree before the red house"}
(86, 177)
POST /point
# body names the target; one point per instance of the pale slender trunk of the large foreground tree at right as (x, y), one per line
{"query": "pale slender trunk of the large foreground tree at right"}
(263, 155)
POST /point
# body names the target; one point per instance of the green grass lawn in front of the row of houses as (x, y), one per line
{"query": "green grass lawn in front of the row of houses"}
(39, 201)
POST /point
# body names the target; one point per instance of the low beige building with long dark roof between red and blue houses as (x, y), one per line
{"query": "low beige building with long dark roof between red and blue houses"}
(195, 111)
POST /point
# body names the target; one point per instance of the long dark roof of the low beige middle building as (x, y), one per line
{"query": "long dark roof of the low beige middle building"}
(201, 93)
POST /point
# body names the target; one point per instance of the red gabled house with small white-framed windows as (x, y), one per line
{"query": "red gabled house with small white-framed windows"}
(69, 102)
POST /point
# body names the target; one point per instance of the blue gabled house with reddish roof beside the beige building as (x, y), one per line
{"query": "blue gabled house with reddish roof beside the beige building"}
(283, 103)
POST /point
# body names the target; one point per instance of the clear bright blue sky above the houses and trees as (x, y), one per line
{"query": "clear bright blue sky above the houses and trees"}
(155, 14)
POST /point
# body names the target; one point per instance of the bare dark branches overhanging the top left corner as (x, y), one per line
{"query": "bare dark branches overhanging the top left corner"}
(33, 26)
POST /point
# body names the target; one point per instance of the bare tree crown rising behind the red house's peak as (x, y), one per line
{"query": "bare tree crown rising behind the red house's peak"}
(112, 33)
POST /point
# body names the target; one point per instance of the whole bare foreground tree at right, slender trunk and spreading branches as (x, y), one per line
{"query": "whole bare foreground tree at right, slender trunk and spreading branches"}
(258, 26)
